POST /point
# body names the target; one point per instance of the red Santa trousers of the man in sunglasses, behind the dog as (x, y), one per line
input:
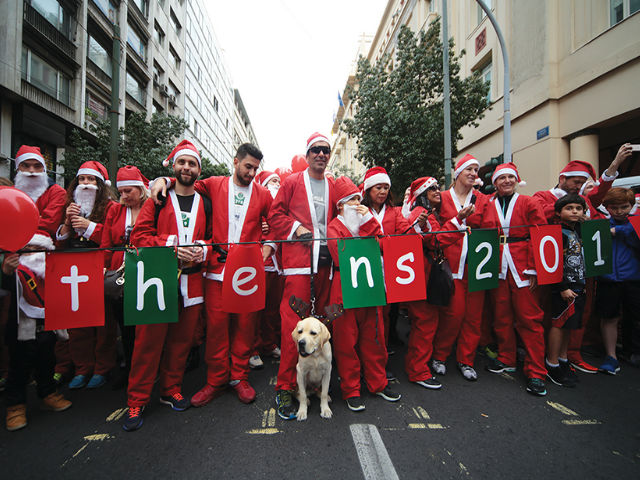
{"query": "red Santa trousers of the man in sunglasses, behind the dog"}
(297, 285)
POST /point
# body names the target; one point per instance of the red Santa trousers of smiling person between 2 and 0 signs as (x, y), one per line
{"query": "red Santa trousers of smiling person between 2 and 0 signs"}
(519, 308)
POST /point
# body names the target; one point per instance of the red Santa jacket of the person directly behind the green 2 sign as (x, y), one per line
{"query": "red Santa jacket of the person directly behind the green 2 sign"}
(456, 252)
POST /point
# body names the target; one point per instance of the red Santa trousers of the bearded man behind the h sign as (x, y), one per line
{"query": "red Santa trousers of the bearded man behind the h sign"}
(161, 349)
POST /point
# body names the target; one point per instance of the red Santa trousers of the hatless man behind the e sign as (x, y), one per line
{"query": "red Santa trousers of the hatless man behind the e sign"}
(229, 335)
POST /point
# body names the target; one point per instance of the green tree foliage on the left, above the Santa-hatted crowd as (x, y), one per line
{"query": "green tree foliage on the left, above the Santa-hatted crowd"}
(142, 143)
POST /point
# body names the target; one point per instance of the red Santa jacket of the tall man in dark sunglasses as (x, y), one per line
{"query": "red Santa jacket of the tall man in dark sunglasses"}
(292, 207)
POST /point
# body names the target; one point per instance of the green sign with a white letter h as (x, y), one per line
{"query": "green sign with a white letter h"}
(150, 286)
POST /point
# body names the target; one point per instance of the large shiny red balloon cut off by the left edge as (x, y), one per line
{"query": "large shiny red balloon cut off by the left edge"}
(20, 217)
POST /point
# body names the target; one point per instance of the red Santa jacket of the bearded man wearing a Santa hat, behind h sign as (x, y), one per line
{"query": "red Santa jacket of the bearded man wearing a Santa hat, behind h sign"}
(170, 231)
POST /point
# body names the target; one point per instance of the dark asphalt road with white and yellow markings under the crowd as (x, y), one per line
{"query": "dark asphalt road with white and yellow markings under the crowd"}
(488, 429)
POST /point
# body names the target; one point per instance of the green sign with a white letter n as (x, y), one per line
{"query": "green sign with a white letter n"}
(361, 273)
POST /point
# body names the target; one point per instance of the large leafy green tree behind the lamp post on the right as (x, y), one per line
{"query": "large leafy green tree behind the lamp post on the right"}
(399, 122)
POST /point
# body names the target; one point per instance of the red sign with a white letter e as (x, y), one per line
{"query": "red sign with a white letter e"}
(243, 287)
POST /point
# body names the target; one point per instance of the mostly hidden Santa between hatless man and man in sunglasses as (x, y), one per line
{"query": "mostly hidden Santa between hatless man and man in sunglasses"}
(268, 326)
